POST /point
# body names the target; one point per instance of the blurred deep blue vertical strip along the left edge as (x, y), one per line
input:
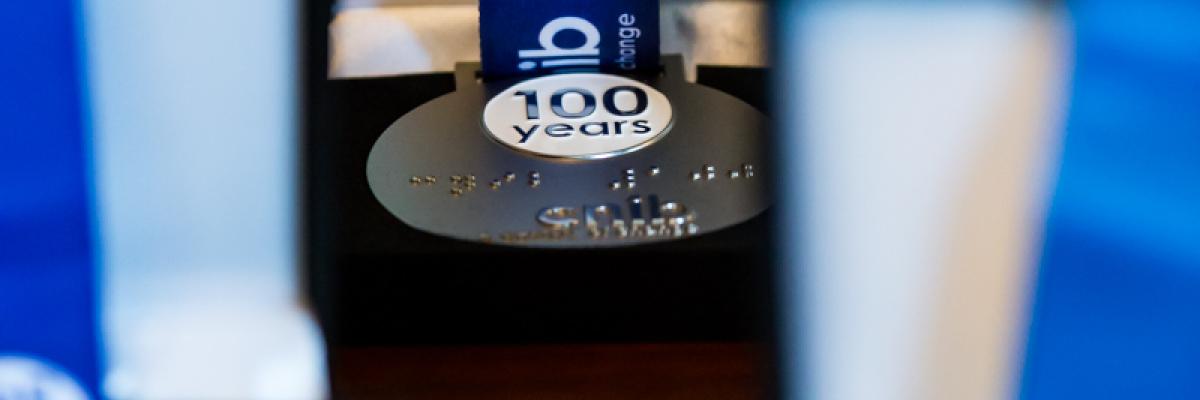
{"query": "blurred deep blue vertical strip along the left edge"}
(47, 289)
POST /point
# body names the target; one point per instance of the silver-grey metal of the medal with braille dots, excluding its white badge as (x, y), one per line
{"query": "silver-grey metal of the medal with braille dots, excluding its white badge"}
(571, 204)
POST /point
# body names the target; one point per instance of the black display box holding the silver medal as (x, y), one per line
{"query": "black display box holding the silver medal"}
(379, 283)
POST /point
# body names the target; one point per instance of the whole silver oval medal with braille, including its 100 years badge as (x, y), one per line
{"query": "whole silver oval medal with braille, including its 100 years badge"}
(613, 162)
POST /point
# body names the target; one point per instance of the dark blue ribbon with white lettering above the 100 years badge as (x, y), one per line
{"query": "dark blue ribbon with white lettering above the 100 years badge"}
(526, 38)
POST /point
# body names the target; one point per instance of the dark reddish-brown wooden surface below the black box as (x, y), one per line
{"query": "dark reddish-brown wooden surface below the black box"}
(661, 372)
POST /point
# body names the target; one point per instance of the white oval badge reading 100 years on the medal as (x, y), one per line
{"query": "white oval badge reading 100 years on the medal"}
(579, 116)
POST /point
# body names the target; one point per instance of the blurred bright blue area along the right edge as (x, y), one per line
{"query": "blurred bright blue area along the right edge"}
(1118, 307)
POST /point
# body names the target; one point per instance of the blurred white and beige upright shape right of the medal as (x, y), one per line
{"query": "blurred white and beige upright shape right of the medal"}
(916, 145)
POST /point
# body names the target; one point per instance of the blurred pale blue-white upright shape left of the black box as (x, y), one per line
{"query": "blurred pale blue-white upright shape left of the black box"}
(194, 108)
